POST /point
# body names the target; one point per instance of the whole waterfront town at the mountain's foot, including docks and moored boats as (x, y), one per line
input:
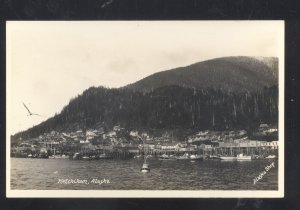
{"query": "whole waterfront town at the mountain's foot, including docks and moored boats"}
(121, 143)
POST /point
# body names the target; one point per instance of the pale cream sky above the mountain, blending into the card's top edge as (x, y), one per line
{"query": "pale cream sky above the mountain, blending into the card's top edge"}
(50, 62)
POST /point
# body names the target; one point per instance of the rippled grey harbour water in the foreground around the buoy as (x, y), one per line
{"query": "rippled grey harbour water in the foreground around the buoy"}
(44, 174)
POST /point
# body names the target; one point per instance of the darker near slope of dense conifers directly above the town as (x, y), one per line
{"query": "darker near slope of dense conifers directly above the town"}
(170, 107)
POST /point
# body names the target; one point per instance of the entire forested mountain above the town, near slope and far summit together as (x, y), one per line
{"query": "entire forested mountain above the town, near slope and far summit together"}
(223, 93)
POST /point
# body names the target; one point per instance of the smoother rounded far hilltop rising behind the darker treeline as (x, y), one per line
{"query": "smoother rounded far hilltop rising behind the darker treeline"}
(227, 73)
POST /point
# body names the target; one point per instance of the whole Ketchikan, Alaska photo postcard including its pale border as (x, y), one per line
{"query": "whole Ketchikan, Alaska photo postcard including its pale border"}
(145, 109)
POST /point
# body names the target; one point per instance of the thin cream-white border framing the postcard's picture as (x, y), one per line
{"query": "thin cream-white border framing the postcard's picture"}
(150, 193)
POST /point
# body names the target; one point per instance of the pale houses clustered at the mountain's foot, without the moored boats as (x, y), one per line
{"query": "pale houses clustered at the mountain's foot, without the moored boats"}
(134, 141)
